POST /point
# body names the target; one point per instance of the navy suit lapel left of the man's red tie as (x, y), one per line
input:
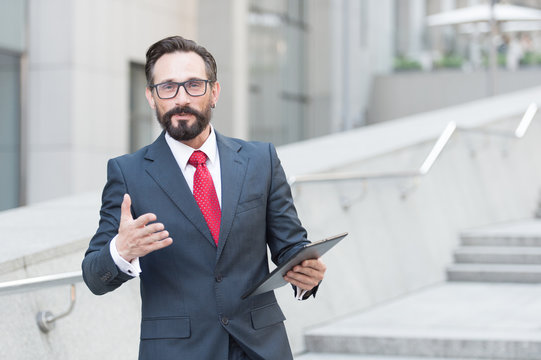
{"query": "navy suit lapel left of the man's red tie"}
(163, 168)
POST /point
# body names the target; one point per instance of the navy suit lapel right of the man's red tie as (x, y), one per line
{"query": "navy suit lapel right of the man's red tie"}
(233, 171)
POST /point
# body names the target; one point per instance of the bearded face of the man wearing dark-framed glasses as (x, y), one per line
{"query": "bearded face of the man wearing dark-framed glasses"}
(184, 117)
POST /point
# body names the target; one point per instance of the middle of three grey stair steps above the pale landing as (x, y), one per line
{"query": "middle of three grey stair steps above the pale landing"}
(498, 255)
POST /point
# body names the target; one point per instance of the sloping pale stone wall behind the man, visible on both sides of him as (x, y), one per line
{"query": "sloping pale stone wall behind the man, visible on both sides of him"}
(396, 245)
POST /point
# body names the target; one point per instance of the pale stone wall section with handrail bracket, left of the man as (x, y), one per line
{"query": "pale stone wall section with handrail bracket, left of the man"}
(49, 238)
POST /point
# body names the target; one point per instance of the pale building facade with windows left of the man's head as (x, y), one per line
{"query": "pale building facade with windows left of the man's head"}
(71, 89)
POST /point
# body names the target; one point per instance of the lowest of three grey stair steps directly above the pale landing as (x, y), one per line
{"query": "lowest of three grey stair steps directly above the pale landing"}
(495, 273)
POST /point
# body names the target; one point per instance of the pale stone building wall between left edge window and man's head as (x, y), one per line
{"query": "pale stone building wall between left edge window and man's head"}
(76, 97)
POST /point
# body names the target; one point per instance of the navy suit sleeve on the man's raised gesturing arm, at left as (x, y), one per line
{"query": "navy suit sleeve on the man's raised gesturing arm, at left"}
(100, 273)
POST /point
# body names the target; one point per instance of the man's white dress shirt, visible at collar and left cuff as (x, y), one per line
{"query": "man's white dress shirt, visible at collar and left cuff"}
(181, 153)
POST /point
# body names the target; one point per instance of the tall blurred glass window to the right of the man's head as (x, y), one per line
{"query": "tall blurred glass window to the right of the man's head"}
(278, 94)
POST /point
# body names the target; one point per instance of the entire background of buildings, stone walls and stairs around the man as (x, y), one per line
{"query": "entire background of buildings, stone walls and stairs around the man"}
(362, 97)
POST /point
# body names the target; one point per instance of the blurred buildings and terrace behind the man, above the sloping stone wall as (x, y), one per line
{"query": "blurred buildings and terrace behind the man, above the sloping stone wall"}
(73, 78)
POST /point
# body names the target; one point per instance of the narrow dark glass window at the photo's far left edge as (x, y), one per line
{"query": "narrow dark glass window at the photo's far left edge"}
(9, 130)
